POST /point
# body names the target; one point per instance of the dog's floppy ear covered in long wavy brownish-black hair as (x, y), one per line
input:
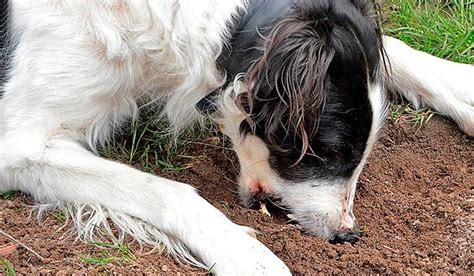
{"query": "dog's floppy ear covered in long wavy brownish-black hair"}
(287, 83)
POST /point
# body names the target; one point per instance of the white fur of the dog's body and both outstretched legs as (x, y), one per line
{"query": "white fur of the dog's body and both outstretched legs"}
(80, 69)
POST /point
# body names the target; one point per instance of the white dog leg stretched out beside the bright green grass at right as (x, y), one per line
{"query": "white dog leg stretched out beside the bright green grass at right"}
(425, 80)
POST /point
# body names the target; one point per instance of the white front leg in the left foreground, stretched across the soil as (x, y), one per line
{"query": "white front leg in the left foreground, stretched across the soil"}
(64, 172)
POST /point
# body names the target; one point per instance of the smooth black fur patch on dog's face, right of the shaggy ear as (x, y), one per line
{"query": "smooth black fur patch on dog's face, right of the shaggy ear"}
(346, 117)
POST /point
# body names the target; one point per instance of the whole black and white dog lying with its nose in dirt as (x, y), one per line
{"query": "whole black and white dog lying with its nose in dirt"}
(299, 87)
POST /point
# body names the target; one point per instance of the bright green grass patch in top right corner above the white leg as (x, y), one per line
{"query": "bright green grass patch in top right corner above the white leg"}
(444, 28)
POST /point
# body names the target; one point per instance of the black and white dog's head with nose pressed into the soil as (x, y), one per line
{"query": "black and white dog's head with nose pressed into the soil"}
(306, 112)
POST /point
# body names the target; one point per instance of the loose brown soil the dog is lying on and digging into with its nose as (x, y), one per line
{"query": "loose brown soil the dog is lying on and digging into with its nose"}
(414, 201)
